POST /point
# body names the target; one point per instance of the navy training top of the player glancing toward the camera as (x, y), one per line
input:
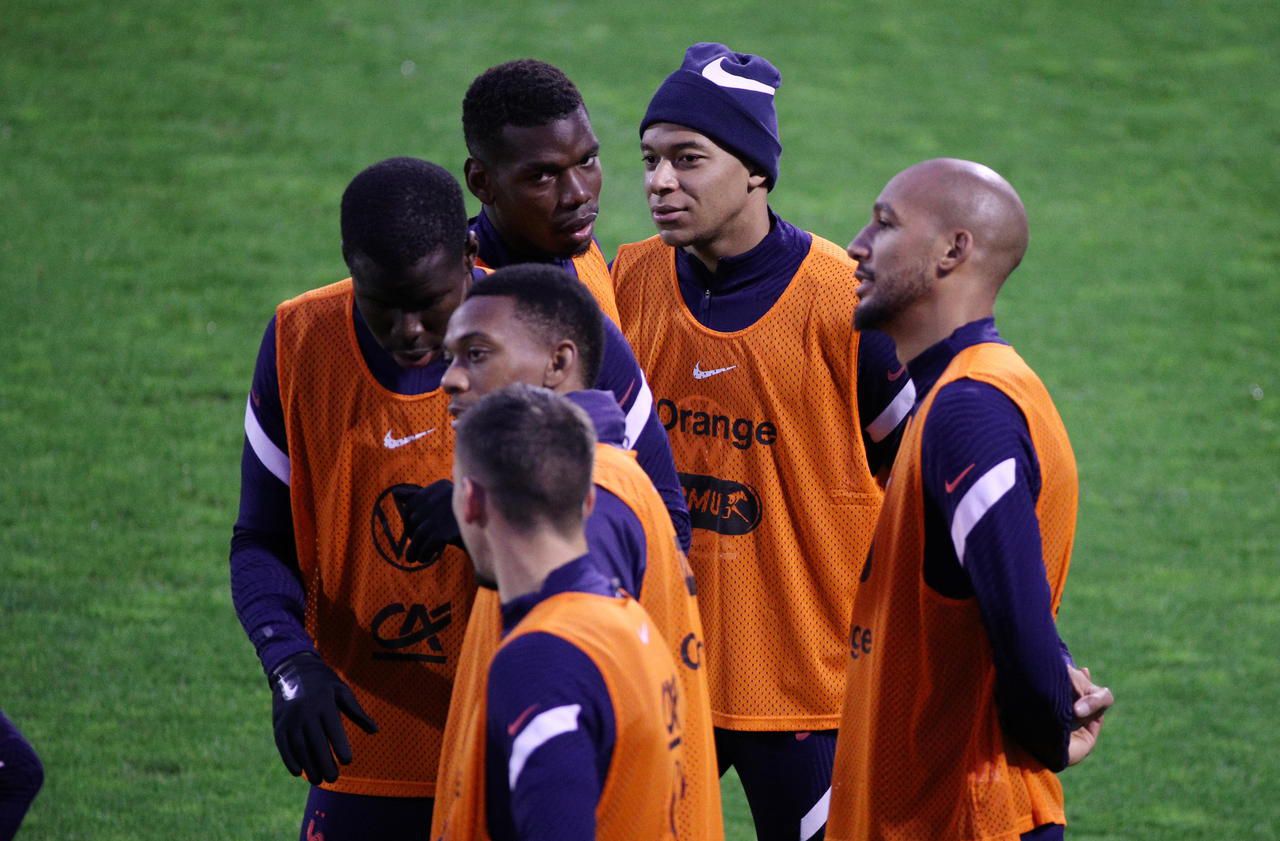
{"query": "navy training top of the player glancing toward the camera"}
(620, 374)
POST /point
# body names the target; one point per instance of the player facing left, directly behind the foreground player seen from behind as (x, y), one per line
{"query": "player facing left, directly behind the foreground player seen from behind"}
(536, 324)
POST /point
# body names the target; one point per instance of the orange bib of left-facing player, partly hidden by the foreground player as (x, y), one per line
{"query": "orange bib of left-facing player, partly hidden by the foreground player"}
(668, 597)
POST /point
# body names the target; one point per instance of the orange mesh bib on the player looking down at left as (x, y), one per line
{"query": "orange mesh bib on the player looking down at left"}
(392, 630)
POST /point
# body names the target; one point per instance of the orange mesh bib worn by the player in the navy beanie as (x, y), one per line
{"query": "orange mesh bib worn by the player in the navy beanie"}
(766, 436)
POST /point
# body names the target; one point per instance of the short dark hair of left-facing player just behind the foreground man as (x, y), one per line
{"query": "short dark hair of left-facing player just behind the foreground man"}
(556, 305)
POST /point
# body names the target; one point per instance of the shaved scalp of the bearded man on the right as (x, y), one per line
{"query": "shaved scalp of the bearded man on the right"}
(962, 195)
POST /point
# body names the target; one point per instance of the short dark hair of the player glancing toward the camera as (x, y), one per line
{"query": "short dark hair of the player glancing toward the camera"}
(527, 93)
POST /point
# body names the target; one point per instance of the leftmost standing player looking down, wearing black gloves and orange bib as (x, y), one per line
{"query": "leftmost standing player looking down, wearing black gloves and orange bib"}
(345, 423)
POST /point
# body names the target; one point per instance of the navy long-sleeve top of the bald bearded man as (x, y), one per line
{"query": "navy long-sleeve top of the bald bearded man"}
(988, 545)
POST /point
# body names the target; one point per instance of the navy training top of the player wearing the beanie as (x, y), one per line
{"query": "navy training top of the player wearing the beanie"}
(746, 287)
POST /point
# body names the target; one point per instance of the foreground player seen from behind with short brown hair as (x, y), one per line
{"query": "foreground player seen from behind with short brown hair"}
(582, 711)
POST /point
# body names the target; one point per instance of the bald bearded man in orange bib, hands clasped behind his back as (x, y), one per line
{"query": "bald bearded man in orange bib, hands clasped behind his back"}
(959, 705)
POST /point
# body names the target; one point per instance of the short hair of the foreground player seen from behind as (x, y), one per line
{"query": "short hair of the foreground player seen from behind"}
(533, 453)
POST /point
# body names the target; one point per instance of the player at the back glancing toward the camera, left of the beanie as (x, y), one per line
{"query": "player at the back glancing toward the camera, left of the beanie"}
(534, 166)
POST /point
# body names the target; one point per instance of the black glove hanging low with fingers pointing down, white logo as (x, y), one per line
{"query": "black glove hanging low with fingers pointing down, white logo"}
(307, 698)
